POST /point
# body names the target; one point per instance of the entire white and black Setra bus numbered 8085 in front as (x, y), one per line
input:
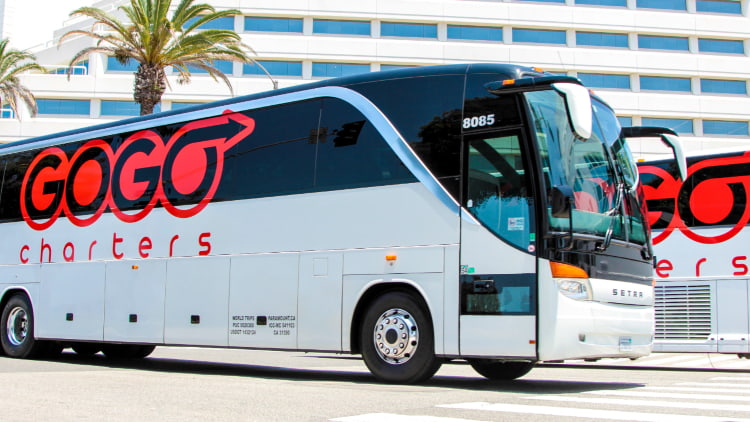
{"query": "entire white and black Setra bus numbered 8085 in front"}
(482, 212)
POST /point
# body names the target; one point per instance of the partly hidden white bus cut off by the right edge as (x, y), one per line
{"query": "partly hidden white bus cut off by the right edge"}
(702, 243)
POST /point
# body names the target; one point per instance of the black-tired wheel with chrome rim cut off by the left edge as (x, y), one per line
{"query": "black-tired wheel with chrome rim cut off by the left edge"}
(17, 327)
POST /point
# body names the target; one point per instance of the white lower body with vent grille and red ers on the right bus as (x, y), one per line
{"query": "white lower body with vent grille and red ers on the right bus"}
(705, 296)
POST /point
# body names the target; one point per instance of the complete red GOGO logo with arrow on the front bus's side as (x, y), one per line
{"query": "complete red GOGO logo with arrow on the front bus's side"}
(143, 171)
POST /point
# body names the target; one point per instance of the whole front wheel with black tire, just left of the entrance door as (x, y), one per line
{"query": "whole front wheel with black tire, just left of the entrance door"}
(393, 316)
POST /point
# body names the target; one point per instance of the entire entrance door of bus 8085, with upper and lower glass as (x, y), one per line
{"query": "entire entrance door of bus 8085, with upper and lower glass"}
(498, 245)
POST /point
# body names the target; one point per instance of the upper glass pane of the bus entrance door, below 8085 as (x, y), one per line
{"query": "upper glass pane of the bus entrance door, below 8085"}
(498, 193)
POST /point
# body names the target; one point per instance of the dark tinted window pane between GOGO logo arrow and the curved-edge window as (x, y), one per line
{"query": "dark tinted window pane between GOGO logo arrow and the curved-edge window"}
(278, 158)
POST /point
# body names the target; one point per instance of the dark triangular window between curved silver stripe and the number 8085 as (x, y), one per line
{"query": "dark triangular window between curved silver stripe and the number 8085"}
(427, 112)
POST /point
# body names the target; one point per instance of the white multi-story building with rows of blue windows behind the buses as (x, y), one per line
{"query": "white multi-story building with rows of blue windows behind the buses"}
(676, 63)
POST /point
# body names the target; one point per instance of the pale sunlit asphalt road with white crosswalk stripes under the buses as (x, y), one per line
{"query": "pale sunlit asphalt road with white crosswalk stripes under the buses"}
(178, 384)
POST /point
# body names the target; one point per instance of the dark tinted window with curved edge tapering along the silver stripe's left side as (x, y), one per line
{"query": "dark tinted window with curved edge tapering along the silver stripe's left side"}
(352, 153)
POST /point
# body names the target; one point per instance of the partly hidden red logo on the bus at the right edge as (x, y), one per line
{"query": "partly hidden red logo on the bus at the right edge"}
(715, 193)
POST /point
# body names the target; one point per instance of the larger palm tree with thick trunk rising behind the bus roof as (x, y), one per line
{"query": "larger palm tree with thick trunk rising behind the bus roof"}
(158, 42)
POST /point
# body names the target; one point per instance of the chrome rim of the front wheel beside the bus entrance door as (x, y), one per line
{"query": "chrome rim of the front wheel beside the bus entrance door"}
(396, 336)
